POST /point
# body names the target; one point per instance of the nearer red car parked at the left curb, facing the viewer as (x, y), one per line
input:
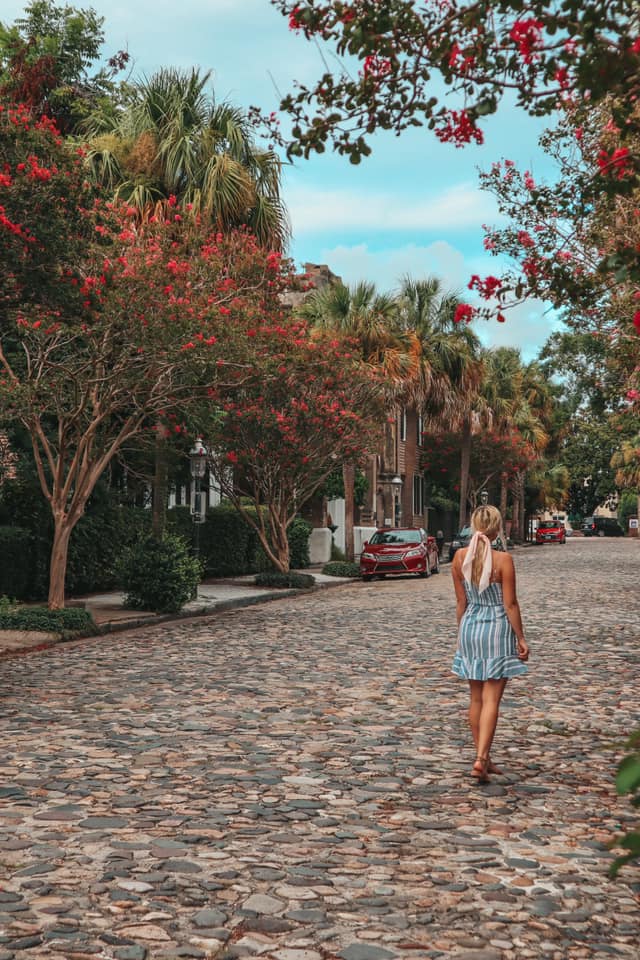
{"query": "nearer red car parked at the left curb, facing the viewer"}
(398, 550)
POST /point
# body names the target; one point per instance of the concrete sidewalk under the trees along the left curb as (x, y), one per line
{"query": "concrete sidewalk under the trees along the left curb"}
(110, 614)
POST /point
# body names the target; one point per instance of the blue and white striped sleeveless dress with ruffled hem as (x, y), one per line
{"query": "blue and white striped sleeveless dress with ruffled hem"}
(487, 645)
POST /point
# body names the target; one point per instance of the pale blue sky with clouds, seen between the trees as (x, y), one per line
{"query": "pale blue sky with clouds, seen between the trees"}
(413, 207)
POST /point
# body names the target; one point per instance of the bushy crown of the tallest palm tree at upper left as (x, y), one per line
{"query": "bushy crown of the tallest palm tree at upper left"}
(171, 139)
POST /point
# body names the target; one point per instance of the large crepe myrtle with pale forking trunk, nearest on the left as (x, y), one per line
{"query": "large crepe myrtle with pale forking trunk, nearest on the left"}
(148, 325)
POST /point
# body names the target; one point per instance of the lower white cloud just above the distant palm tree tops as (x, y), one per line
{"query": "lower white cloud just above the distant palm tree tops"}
(527, 326)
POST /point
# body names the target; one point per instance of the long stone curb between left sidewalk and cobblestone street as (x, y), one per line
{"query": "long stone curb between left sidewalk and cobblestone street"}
(122, 626)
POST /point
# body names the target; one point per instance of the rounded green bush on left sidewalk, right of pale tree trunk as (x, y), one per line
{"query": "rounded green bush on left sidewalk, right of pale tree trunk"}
(160, 575)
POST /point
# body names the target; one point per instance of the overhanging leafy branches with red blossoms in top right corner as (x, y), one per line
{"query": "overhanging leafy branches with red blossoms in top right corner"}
(399, 54)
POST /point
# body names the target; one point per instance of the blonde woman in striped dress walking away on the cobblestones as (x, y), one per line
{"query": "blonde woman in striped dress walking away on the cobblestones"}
(491, 643)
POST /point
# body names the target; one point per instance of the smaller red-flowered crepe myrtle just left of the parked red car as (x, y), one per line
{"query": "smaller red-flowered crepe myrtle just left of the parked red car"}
(307, 404)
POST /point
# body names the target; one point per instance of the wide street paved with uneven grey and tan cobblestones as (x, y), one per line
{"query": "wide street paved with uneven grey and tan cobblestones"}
(291, 780)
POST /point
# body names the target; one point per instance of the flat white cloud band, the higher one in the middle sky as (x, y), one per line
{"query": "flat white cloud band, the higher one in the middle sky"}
(457, 207)
